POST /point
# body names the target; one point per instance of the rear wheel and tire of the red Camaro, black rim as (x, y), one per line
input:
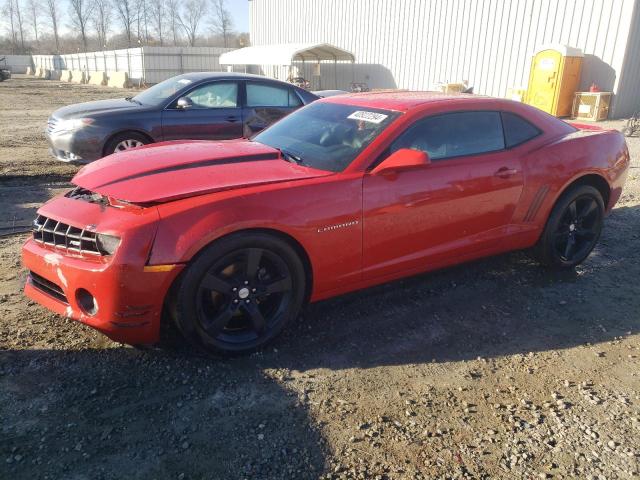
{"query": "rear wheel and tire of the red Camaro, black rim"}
(573, 228)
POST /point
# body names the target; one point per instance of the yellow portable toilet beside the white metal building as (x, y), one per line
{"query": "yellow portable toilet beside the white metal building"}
(554, 78)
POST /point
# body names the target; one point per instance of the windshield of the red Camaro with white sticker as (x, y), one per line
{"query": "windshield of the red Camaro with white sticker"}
(327, 136)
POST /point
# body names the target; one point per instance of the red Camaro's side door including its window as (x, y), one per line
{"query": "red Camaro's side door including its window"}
(458, 204)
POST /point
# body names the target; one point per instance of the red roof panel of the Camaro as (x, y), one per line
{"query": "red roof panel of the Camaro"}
(404, 100)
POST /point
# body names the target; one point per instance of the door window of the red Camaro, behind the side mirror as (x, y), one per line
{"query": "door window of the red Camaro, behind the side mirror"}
(454, 135)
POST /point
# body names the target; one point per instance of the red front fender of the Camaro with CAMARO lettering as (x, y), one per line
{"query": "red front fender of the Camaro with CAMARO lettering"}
(324, 216)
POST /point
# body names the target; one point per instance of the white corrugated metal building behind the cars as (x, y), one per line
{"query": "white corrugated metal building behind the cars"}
(415, 44)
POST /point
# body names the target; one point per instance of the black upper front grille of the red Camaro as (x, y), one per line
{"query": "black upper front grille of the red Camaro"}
(60, 235)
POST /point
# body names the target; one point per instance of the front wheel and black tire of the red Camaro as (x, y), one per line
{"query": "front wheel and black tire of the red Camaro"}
(239, 293)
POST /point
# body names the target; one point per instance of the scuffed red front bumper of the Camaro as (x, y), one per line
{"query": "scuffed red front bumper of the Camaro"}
(118, 295)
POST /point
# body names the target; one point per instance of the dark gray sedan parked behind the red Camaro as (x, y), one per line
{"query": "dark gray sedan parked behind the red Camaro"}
(202, 106)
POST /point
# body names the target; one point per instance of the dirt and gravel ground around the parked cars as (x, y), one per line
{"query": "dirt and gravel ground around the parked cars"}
(495, 369)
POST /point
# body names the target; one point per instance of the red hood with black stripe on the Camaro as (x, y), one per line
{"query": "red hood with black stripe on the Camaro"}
(172, 170)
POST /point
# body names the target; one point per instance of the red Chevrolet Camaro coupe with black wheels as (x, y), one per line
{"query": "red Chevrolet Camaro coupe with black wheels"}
(227, 240)
